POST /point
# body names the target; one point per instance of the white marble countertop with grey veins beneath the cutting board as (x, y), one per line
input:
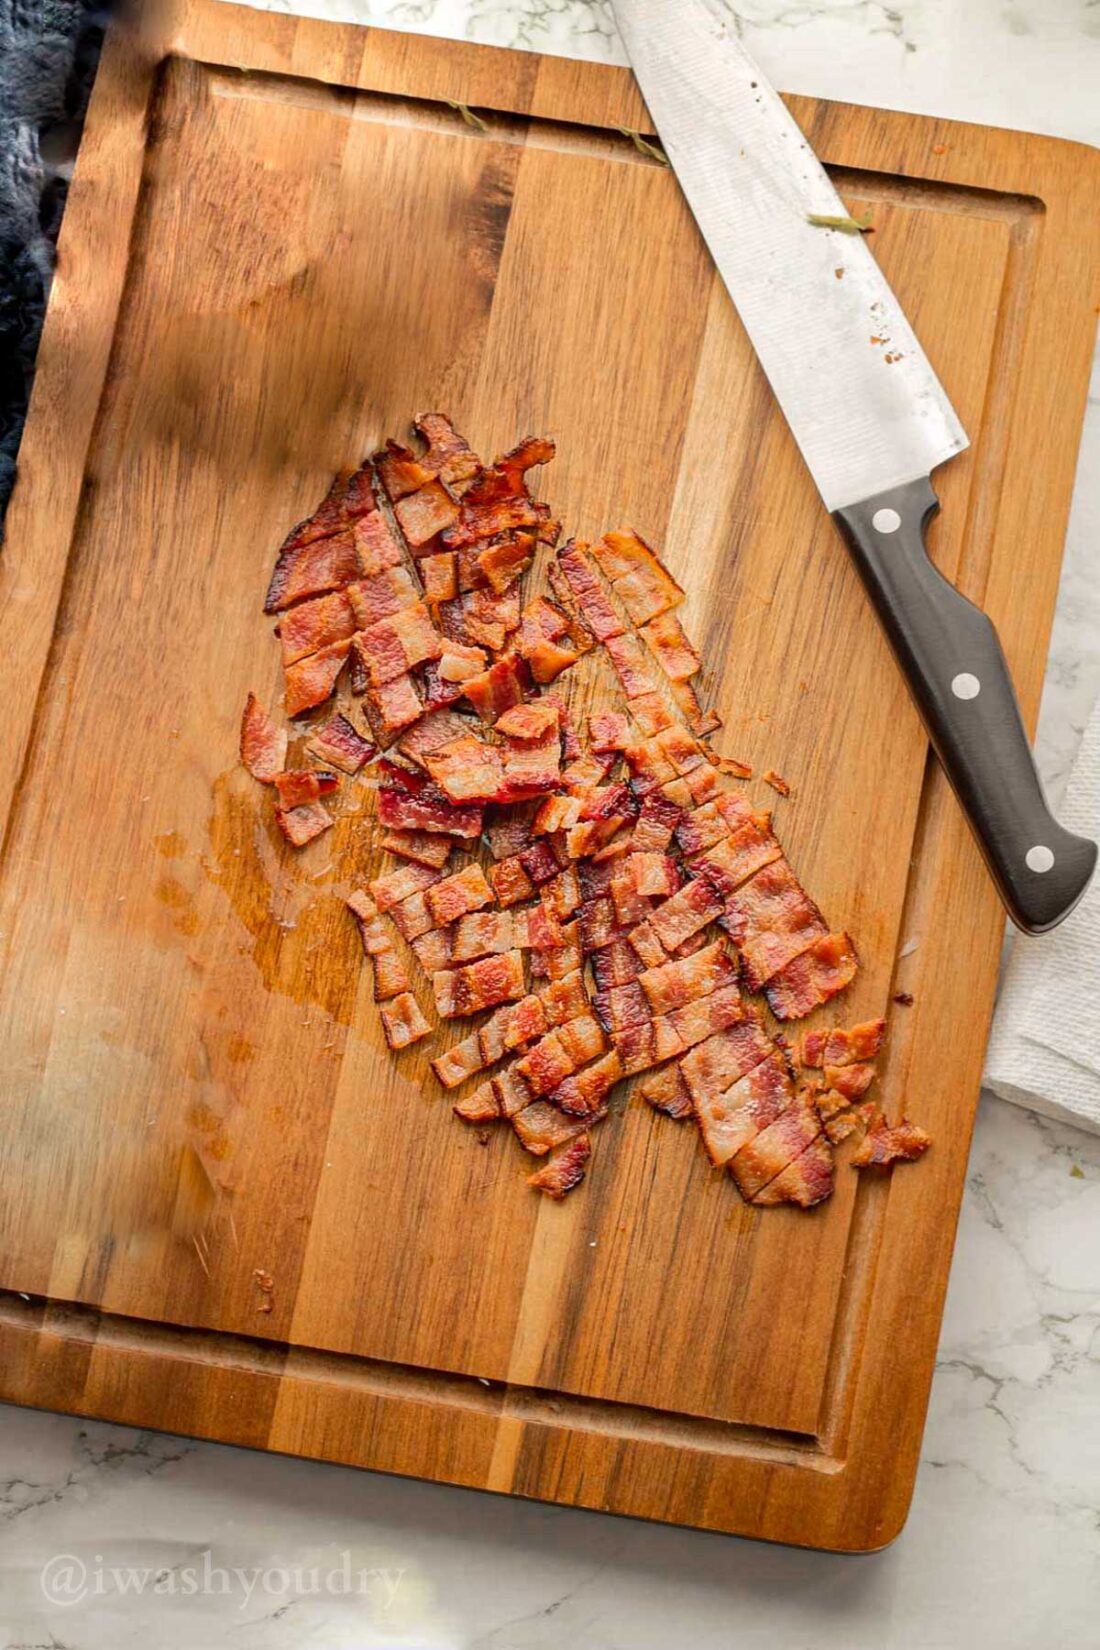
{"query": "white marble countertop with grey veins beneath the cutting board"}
(217, 1547)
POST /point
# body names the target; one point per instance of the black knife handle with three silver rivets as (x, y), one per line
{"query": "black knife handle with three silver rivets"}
(952, 661)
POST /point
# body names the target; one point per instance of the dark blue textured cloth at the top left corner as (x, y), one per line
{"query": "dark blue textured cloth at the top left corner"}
(49, 54)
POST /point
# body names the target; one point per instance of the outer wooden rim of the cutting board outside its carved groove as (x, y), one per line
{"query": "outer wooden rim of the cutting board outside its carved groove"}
(863, 1502)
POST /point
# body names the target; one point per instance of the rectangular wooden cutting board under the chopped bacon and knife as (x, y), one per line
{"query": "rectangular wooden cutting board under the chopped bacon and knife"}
(283, 242)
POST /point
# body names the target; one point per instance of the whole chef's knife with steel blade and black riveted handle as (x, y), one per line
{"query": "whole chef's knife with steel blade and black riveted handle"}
(867, 410)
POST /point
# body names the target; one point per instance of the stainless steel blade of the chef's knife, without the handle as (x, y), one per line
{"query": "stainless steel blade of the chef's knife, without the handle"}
(849, 372)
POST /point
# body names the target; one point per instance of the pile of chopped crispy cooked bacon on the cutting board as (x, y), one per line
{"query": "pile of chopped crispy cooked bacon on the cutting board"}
(585, 902)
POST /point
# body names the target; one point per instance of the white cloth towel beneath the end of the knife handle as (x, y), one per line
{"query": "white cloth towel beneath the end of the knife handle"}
(1045, 1050)
